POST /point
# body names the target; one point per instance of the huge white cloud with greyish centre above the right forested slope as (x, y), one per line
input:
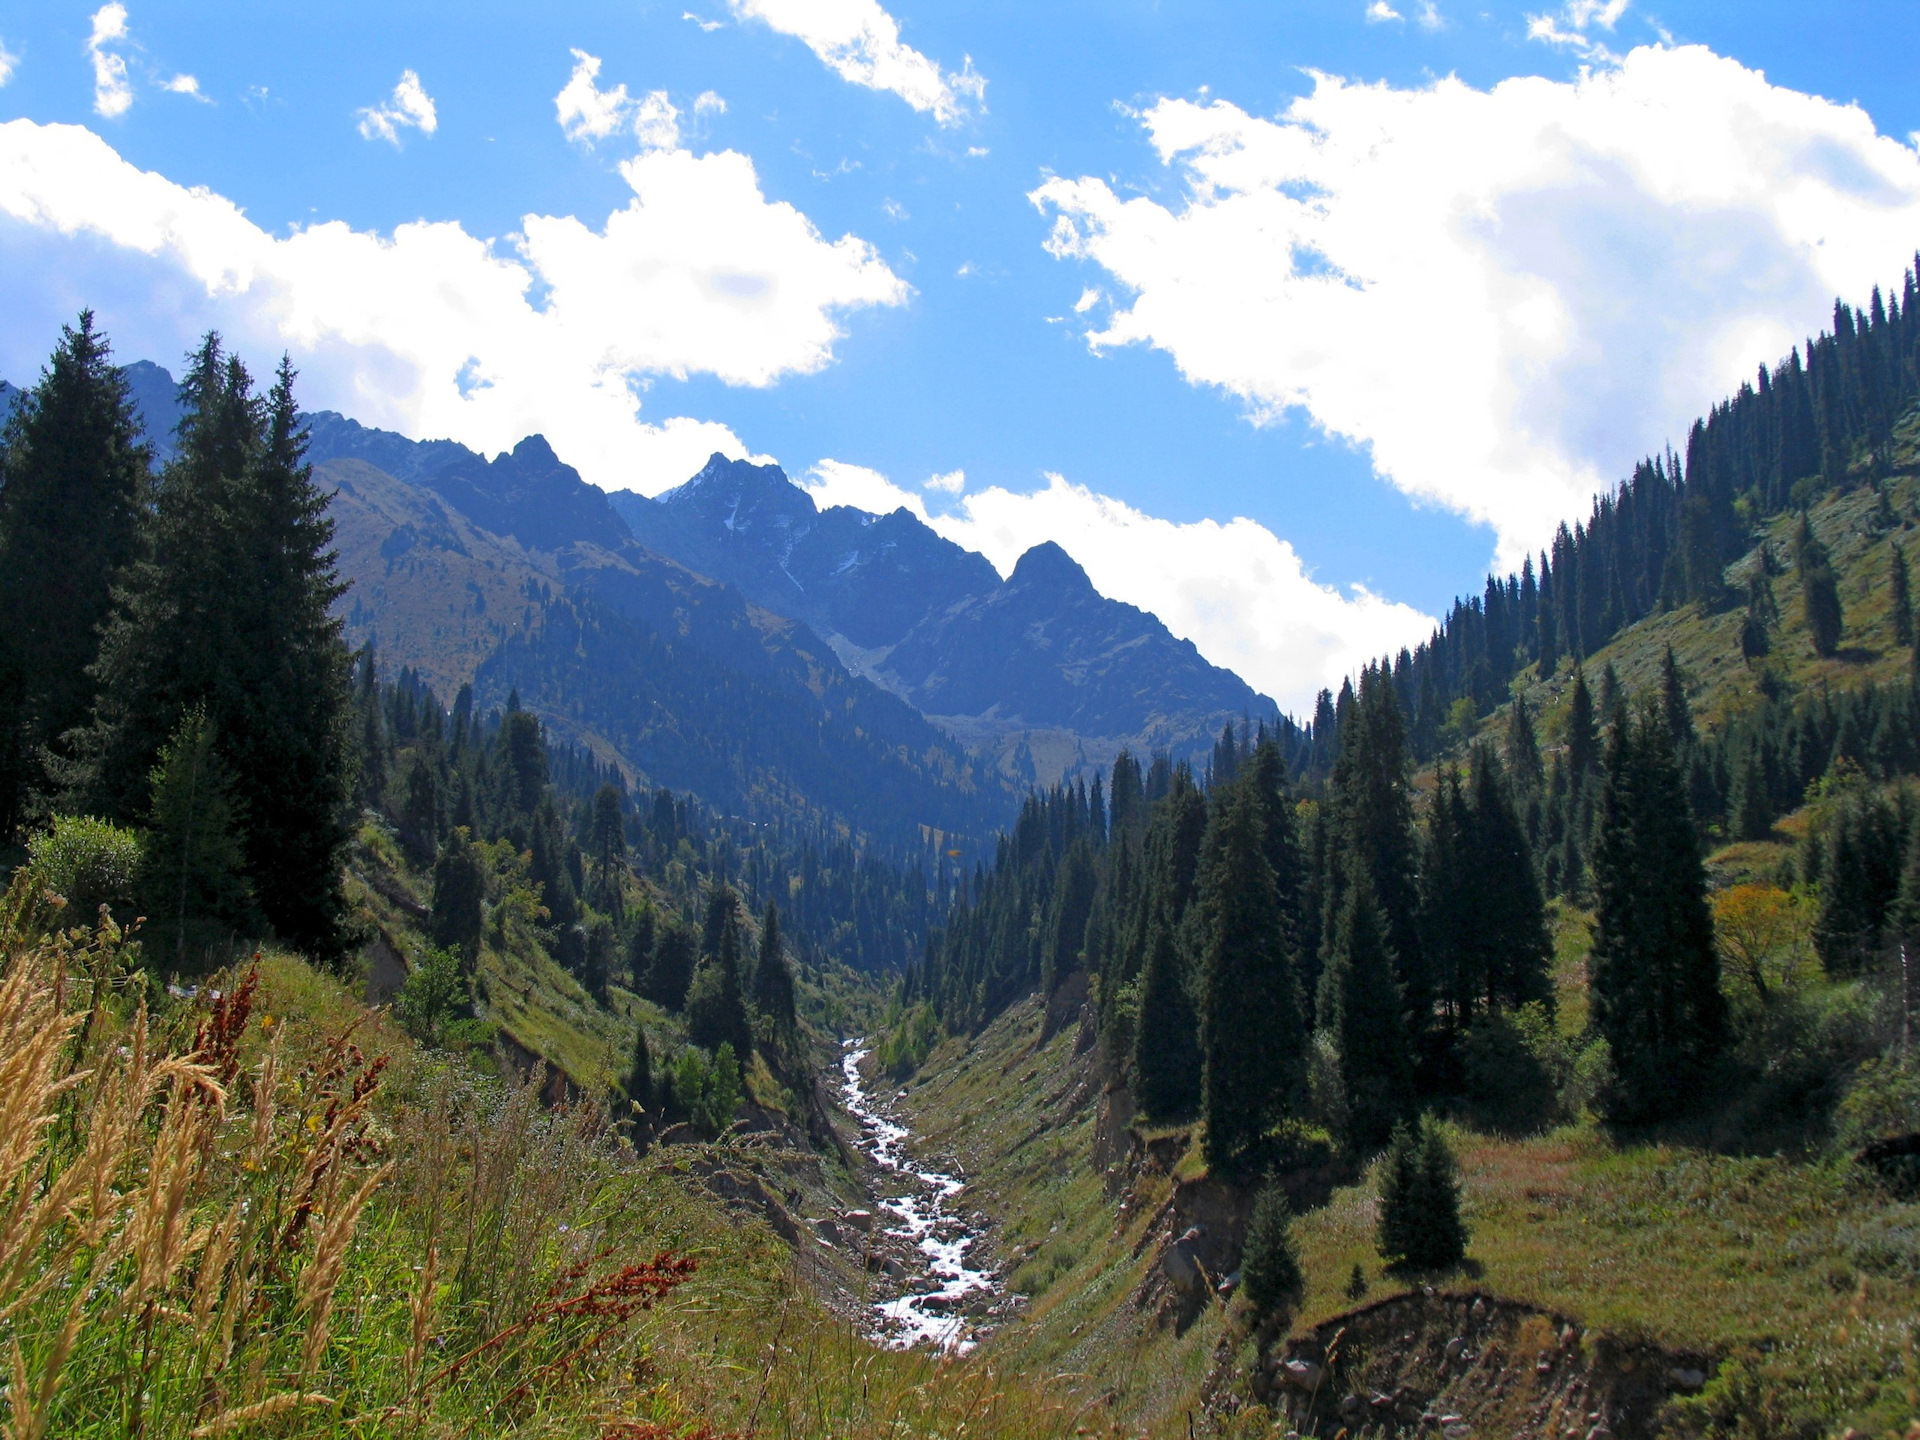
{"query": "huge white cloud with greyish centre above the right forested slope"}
(1504, 295)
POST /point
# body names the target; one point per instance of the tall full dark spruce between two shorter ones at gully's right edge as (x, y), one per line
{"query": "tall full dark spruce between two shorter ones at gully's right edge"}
(1253, 1030)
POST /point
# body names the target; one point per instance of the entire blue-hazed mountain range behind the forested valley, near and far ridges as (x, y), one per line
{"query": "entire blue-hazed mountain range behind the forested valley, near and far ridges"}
(736, 640)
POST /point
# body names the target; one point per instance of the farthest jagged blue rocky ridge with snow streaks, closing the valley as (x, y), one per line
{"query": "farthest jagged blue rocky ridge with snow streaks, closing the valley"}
(992, 660)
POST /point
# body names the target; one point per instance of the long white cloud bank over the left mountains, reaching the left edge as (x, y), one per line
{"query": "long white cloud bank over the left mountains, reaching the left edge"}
(433, 331)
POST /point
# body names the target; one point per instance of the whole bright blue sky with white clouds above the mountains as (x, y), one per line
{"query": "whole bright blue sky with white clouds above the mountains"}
(1285, 318)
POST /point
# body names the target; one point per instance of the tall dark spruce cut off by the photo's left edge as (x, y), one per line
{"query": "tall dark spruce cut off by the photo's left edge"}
(74, 483)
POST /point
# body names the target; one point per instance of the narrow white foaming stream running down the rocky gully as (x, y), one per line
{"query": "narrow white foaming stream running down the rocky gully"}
(934, 1307)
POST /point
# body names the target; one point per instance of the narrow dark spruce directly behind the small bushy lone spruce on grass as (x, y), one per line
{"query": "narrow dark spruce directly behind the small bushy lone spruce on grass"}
(1362, 1007)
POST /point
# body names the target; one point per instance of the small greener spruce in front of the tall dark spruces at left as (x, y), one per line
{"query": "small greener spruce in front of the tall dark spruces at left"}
(193, 878)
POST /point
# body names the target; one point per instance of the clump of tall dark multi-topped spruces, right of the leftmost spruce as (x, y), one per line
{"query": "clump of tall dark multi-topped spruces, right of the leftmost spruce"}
(231, 612)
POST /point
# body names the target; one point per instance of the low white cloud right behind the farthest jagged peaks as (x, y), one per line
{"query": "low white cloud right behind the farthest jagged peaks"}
(1236, 590)
